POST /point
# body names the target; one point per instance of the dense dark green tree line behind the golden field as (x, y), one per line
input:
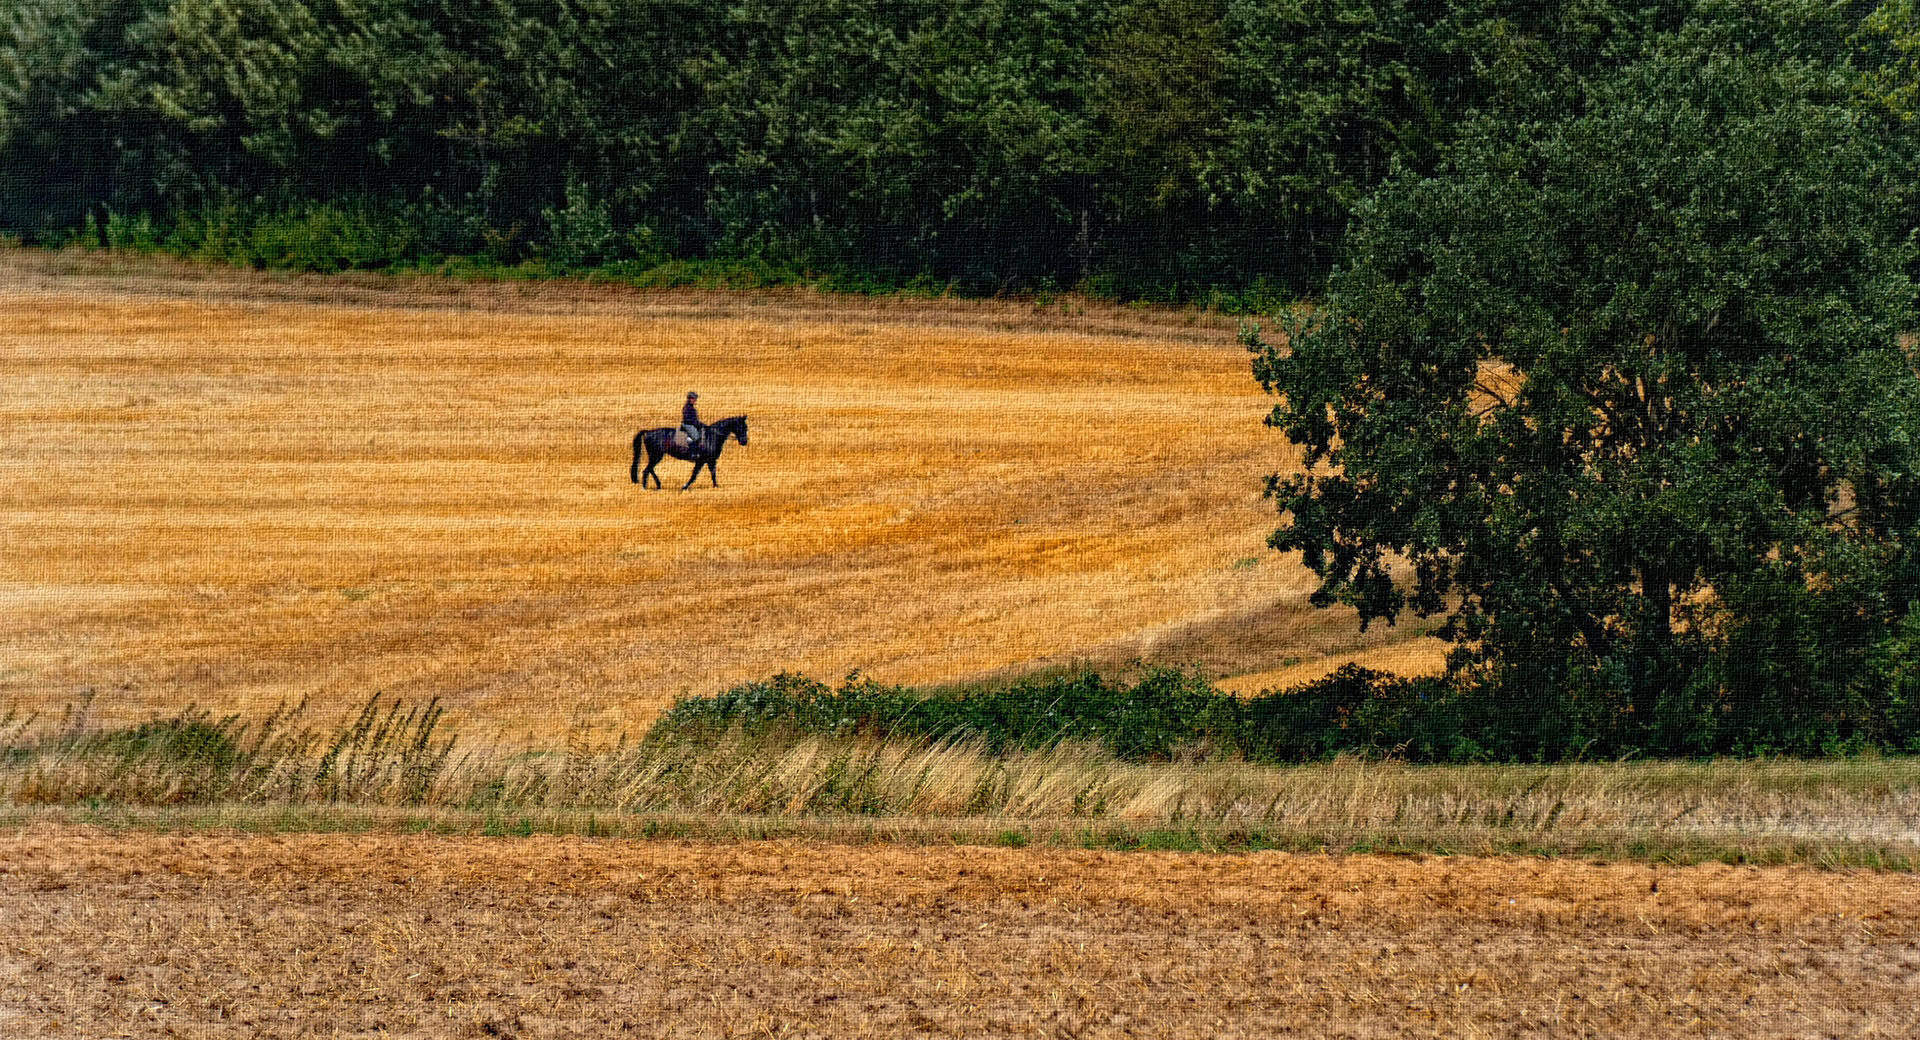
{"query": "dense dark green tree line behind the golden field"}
(1136, 147)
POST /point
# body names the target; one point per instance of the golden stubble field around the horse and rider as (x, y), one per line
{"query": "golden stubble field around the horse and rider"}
(243, 490)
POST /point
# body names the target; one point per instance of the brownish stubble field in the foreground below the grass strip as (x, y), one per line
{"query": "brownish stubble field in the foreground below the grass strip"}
(302, 935)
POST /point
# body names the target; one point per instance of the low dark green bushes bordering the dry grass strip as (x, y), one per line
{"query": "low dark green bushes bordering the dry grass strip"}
(1172, 715)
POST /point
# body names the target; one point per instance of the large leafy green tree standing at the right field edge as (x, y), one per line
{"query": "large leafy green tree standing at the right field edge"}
(1625, 394)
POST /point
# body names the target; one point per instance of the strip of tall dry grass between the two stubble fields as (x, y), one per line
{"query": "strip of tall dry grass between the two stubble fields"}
(393, 757)
